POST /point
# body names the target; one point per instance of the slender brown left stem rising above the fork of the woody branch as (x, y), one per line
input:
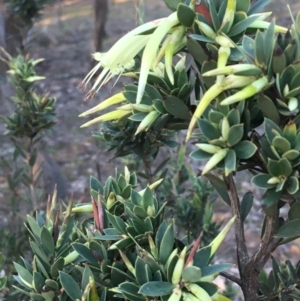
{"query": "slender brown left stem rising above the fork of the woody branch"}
(242, 251)
